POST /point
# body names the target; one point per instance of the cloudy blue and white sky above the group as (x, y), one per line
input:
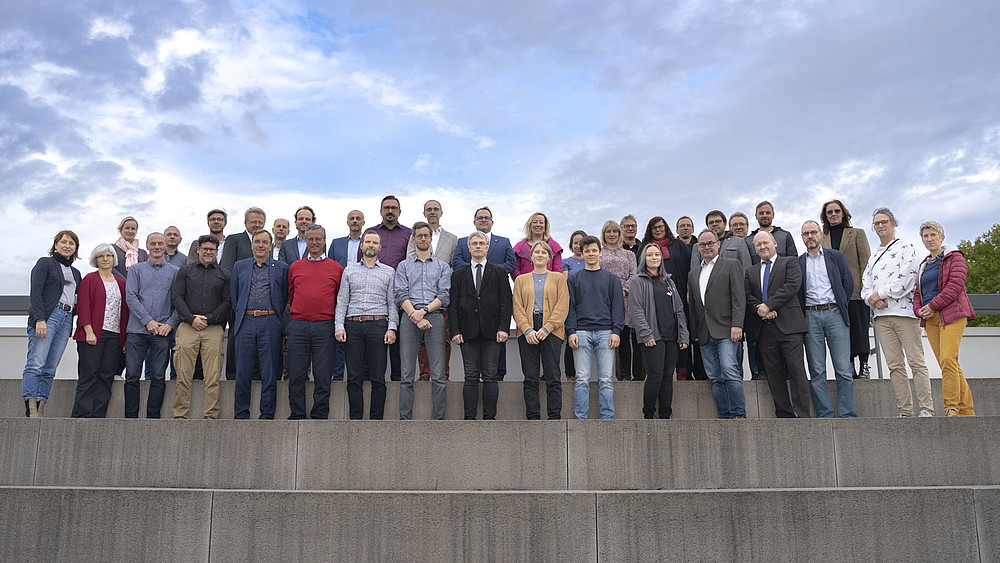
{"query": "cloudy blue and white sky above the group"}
(585, 110)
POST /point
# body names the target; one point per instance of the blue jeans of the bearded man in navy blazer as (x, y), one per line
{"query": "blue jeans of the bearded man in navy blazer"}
(829, 326)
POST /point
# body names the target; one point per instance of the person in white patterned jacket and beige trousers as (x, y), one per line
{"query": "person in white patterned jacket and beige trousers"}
(888, 284)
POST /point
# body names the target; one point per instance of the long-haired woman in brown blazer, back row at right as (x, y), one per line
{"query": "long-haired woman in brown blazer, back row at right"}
(838, 234)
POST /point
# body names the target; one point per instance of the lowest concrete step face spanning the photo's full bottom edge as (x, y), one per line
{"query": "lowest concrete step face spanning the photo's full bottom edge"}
(793, 525)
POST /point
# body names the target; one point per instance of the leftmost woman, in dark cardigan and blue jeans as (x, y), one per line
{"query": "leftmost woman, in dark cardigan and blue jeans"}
(50, 319)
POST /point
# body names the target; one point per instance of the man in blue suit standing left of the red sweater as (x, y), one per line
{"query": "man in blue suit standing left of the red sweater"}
(259, 289)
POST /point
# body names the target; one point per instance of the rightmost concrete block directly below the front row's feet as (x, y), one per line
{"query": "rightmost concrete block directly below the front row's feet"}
(917, 451)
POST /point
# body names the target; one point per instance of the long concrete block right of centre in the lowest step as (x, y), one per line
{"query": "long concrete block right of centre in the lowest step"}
(793, 526)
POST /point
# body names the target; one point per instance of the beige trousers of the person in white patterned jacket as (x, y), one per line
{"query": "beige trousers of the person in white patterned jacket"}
(900, 336)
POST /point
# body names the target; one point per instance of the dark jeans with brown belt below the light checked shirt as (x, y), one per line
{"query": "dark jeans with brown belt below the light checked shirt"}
(366, 339)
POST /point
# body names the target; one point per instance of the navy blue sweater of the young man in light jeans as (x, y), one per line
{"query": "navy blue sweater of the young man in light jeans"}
(595, 302)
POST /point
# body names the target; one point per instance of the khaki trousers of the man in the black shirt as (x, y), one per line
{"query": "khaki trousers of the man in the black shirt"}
(188, 344)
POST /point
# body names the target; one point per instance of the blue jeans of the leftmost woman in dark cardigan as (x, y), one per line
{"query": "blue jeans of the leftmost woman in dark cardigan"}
(44, 355)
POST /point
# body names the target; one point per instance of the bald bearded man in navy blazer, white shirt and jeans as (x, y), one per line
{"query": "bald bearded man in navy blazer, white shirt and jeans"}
(827, 285)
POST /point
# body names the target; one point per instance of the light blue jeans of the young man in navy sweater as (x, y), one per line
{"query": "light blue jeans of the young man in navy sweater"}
(594, 344)
